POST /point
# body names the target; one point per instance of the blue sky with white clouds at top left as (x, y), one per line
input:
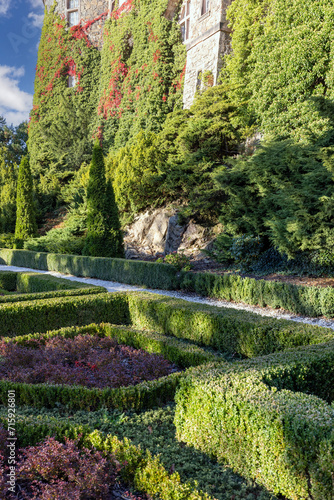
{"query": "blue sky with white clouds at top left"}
(20, 30)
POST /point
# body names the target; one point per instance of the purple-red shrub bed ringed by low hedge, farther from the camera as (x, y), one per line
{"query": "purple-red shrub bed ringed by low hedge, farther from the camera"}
(86, 360)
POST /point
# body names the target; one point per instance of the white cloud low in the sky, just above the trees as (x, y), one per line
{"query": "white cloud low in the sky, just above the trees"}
(15, 104)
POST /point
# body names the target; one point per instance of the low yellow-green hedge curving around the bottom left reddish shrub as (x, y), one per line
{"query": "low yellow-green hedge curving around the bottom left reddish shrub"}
(142, 471)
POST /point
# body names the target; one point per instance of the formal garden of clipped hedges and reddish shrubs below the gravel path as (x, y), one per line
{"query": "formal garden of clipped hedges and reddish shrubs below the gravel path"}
(144, 396)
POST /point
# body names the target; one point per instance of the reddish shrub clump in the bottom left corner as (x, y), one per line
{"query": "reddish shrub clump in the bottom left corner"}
(62, 471)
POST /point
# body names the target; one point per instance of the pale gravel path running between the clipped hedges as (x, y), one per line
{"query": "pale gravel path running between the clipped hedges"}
(112, 286)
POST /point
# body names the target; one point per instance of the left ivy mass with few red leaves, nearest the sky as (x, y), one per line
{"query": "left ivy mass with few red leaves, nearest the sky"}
(60, 122)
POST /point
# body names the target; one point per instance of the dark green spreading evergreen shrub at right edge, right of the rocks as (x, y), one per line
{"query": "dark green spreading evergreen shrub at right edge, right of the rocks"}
(283, 193)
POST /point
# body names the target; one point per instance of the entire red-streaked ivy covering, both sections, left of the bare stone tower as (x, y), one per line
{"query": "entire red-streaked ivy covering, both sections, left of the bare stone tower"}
(131, 85)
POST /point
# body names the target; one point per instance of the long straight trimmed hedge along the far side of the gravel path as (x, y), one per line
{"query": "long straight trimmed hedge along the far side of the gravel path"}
(308, 300)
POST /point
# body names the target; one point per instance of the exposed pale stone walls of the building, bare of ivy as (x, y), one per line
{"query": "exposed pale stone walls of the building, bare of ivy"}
(207, 42)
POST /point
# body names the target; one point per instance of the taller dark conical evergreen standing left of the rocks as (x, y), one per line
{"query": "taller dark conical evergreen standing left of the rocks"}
(104, 238)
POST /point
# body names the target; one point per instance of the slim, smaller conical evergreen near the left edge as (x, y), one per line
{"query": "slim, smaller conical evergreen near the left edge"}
(25, 213)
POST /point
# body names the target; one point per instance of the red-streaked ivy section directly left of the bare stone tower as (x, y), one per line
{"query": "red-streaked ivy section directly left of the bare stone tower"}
(142, 70)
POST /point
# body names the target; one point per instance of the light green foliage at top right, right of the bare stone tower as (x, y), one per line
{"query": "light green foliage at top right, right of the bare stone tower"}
(281, 57)
